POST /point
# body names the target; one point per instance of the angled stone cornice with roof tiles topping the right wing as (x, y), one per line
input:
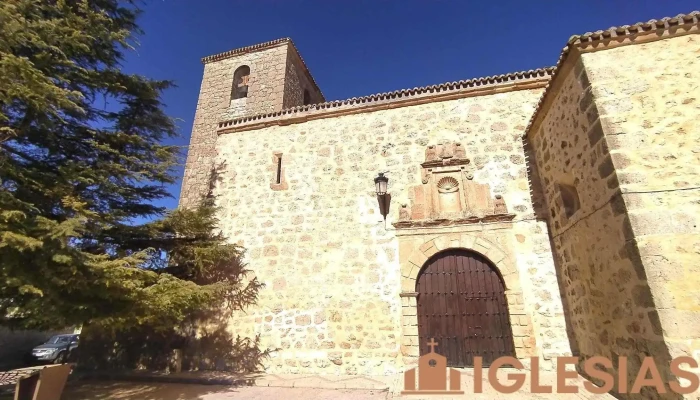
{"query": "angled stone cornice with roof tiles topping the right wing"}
(641, 32)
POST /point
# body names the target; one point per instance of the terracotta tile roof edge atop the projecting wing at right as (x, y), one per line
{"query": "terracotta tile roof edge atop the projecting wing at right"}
(615, 32)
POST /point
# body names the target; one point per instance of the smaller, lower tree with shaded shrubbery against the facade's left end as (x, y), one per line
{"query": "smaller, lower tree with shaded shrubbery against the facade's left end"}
(200, 330)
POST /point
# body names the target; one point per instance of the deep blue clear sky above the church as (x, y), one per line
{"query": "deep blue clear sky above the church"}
(356, 48)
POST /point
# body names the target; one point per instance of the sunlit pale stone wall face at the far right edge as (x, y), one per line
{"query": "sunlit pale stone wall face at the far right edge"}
(649, 107)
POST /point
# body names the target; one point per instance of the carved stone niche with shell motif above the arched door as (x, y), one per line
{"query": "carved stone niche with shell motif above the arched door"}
(448, 194)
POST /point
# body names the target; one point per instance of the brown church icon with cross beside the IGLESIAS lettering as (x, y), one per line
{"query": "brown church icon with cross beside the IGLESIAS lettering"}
(432, 375)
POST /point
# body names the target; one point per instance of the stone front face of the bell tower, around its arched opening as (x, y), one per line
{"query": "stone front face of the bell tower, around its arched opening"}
(265, 92)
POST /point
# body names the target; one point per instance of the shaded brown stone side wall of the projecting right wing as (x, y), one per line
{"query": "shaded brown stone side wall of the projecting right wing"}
(609, 306)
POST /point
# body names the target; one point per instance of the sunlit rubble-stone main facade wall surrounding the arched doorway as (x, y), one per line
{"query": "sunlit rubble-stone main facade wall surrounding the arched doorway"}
(332, 270)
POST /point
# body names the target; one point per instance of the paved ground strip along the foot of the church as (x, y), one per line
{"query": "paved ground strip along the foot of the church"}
(297, 387)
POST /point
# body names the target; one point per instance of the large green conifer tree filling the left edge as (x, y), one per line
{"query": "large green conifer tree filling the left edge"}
(82, 155)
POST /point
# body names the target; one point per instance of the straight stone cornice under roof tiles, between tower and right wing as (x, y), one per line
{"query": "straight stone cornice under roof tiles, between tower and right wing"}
(524, 80)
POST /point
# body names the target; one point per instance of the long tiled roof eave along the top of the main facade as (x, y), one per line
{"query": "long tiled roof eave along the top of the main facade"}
(538, 76)
